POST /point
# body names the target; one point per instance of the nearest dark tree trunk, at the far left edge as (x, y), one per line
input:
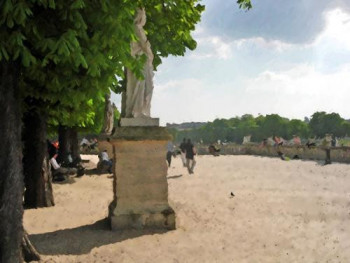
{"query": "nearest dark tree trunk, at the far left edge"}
(11, 176)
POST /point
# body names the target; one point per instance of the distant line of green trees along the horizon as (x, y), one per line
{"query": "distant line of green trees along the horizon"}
(261, 127)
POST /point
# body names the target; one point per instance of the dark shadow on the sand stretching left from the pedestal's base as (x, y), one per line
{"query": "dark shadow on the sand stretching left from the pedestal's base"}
(81, 240)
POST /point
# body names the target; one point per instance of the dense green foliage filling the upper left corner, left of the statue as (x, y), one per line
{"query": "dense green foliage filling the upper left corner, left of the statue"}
(70, 53)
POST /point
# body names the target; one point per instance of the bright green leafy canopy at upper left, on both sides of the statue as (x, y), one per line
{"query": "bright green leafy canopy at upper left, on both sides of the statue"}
(71, 53)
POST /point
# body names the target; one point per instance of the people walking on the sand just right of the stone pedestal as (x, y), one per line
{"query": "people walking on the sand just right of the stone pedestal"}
(187, 151)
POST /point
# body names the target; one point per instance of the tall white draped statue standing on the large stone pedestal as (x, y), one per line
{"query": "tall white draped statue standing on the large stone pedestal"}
(139, 92)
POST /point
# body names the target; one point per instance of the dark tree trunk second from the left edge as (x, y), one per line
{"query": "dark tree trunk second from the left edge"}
(36, 168)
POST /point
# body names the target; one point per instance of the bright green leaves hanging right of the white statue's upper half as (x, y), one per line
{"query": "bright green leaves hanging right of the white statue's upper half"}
(173, 21)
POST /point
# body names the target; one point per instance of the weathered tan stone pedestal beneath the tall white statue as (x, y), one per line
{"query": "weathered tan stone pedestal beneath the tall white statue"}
(140, 183)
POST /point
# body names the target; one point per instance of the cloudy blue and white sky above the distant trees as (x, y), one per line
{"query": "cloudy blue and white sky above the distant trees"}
(286, 57)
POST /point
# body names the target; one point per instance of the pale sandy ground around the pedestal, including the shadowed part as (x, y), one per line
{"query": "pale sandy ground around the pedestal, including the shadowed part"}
(282, 211)
